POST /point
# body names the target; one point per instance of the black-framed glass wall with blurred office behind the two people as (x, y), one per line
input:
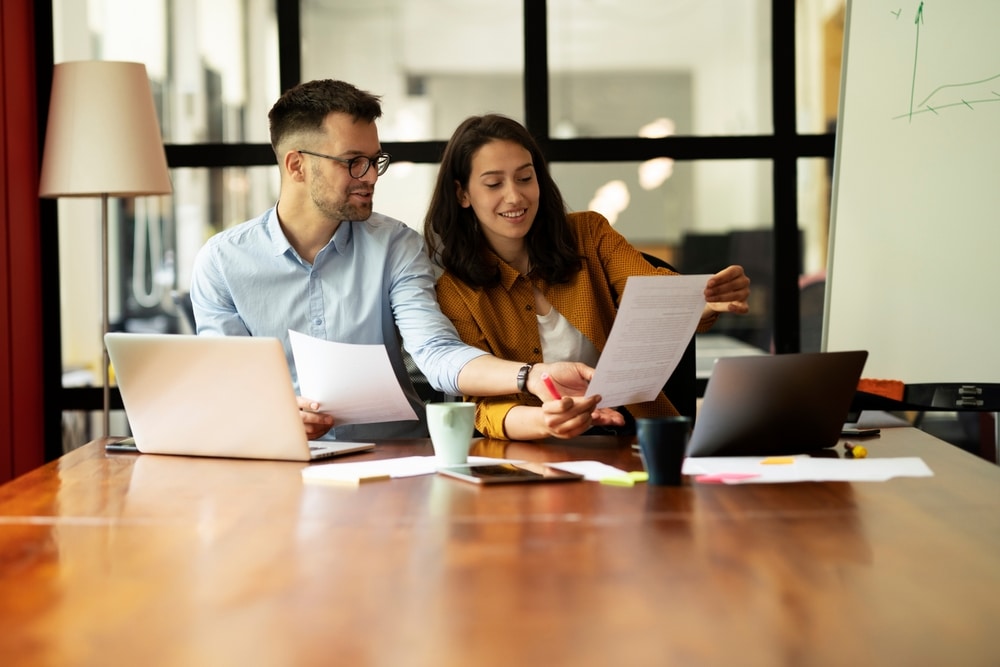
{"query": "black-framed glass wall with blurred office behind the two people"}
(702, 128)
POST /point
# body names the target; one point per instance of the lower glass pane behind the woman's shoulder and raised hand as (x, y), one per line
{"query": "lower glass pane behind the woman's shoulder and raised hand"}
(699, 216)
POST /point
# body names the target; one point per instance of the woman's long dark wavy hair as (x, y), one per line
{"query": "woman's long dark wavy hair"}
(454, 239)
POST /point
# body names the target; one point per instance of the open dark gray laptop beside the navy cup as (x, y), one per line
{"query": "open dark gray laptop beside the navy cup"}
(776, 404)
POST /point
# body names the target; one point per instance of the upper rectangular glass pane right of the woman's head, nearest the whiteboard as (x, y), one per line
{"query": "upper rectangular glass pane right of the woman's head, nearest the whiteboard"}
(615, 66)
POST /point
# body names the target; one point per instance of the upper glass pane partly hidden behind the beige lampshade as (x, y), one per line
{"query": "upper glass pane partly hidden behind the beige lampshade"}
(213, 65)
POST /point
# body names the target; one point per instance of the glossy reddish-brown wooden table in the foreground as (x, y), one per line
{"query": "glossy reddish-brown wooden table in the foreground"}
(118, 559)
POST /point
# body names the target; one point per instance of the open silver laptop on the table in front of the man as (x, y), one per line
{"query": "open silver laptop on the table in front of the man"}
(226, 396)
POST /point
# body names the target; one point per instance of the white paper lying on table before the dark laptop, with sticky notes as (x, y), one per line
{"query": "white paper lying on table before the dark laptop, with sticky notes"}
(751, 469)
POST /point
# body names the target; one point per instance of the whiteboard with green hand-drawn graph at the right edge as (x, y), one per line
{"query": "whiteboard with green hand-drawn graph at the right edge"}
(912, 272)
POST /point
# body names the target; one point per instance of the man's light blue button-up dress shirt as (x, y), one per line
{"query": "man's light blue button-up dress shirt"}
(372, 283)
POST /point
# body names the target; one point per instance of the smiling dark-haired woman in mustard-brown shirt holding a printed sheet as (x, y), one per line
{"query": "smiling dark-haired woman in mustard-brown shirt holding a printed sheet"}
(525, 280)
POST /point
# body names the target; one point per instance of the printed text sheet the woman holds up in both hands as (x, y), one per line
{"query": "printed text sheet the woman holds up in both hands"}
(655, 321)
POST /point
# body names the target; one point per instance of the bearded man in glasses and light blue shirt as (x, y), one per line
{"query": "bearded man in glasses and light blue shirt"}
(322, 263)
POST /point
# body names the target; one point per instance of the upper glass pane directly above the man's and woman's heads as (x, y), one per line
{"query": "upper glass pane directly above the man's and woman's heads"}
(433, 62)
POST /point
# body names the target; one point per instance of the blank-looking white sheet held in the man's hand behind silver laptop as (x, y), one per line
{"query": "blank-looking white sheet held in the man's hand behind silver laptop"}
(354, 383)
